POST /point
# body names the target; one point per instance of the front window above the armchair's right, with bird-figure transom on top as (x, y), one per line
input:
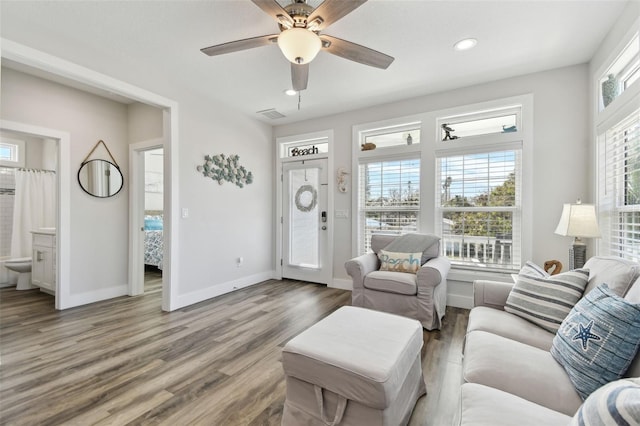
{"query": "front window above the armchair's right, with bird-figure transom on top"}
(479, 190)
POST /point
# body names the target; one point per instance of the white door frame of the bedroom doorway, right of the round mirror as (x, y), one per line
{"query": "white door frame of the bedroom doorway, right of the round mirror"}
(136, 213)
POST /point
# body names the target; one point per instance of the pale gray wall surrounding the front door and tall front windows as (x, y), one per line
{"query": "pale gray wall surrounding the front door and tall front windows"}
(560, 163)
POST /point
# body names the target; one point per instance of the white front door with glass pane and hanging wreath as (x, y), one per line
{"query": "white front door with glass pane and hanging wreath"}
(305, 221)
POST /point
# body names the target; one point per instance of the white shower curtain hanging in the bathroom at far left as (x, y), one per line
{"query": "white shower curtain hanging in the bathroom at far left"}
(34, 207)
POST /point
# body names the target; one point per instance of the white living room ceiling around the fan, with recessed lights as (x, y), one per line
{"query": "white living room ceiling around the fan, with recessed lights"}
(157, 44)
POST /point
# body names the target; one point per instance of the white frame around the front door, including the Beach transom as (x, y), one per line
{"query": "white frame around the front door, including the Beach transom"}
(281, 144)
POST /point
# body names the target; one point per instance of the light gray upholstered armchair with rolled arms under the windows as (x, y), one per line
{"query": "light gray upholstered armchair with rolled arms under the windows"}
(421, 295)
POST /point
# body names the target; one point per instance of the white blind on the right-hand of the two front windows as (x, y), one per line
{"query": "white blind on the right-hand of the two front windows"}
(478, 208)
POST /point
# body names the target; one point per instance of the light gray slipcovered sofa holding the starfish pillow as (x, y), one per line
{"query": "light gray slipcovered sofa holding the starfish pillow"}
(509, 374)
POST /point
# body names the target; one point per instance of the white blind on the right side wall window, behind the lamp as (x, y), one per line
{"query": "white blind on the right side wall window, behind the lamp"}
(619, 189)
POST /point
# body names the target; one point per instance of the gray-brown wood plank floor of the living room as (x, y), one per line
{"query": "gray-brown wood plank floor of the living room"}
(124, 361)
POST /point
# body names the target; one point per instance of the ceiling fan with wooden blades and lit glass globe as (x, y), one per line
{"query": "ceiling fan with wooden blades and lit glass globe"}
(300, 39)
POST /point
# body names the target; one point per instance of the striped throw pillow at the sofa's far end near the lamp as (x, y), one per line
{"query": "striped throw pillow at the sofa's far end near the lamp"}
(546, 301)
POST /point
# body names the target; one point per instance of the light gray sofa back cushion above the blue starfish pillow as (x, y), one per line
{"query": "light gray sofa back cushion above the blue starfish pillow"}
(618, 273)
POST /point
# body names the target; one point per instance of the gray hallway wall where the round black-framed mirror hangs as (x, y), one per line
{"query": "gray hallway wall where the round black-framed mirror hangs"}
(99, 235)
